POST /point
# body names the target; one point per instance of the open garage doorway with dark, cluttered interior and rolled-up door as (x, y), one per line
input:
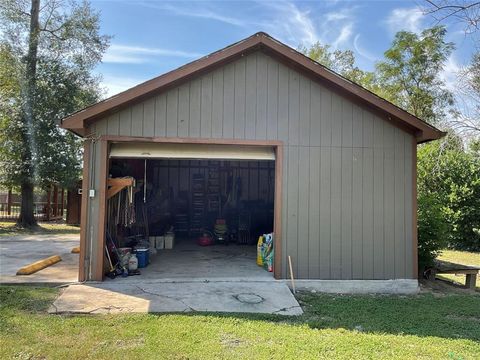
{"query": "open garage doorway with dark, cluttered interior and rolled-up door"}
(199, 209)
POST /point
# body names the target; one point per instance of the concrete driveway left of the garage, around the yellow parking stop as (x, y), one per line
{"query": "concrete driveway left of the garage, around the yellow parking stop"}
(20, 250)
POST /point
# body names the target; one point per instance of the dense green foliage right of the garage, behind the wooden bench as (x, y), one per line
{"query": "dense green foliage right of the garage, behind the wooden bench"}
(451, 174)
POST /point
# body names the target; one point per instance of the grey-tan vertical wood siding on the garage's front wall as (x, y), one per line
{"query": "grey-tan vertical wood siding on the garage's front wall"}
(347, 186)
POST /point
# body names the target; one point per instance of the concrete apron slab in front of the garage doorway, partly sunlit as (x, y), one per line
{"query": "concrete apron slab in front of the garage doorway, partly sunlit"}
(270, 297)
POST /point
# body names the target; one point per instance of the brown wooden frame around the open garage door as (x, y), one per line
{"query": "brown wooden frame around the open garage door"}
(106, 140)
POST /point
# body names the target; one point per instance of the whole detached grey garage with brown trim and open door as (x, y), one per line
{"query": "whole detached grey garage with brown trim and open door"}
(253, 139)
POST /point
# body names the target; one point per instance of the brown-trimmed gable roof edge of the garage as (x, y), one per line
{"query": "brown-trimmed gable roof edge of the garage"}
(423, 131)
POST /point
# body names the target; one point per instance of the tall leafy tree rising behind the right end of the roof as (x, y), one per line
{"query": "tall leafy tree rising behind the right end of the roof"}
(410, 73)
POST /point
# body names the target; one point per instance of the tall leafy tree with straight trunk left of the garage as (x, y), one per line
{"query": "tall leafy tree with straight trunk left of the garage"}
(49, 52)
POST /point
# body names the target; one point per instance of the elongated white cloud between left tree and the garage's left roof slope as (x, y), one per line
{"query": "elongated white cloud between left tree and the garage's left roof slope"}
(127, 54)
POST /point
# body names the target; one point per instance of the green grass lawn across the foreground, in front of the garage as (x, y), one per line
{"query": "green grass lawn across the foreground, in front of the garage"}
(333, 327)
